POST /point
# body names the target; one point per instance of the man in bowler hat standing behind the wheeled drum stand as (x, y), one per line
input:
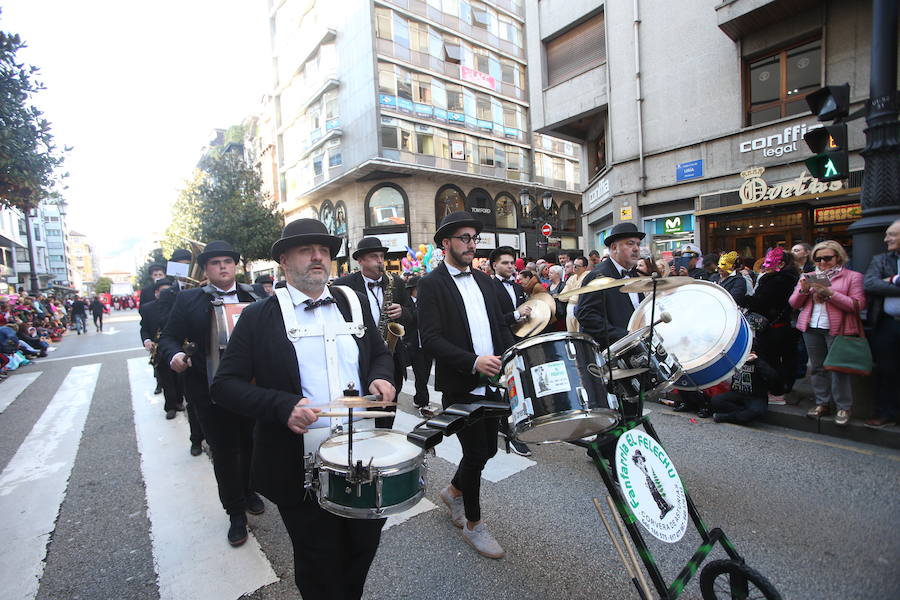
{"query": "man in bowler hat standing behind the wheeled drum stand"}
(605, 314)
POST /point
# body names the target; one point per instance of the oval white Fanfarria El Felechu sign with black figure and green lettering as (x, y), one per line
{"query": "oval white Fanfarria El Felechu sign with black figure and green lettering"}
(651, 486)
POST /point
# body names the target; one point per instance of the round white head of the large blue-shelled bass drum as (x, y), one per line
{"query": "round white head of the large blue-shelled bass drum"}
(705, 322)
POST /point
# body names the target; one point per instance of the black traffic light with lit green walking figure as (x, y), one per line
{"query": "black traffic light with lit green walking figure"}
(829, 142)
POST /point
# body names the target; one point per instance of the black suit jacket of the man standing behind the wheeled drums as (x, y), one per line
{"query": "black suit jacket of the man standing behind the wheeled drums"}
(604, 315)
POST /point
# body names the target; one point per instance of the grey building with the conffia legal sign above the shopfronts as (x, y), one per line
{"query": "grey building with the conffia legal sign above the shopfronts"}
(704, 145)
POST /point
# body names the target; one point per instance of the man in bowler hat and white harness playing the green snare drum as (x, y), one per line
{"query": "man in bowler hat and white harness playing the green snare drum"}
(266, 376)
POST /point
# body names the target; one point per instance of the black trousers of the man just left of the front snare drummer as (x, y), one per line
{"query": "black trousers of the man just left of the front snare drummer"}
(230, 438)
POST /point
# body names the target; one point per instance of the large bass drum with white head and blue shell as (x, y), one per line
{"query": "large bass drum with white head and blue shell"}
(708, 335)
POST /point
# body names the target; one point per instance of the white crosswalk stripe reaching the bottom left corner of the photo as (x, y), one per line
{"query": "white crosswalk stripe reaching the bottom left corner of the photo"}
(33, 485)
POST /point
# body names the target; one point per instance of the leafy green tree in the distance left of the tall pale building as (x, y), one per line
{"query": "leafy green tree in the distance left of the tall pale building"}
(225, 201)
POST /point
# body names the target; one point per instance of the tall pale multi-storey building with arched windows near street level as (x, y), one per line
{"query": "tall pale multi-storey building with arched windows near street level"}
(389, 114)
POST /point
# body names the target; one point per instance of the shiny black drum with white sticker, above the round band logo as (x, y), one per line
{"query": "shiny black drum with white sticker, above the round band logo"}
(553, 396)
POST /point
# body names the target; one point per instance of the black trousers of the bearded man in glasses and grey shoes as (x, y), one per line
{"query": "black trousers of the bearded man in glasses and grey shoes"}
(479, 445)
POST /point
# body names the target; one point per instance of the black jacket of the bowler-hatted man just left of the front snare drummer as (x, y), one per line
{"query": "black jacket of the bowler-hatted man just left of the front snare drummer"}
(189, 320)
